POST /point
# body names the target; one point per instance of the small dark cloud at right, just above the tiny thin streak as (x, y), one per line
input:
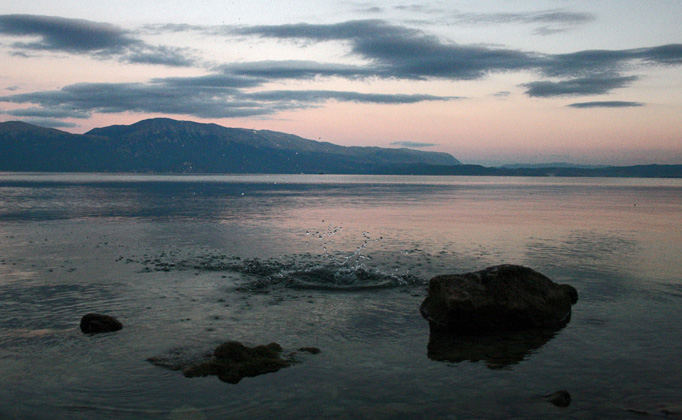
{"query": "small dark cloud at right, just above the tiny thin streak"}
(596, 85)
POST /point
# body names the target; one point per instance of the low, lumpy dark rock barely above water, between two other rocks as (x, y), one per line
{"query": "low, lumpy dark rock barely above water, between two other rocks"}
(233, 361)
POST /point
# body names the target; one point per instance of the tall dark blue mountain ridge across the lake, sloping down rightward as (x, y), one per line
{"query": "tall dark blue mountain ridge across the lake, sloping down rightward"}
(171, 146)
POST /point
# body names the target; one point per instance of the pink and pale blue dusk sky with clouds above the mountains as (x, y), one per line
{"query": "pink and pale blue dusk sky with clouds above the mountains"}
(490, 82)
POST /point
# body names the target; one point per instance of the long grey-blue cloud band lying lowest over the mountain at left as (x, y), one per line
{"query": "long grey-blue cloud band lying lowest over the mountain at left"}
(210, 96)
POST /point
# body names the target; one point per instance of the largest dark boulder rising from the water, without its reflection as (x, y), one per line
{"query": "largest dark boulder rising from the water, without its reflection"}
(497, 299)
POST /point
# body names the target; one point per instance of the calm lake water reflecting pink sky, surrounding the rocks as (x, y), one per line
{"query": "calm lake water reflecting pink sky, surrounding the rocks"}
(340, 263)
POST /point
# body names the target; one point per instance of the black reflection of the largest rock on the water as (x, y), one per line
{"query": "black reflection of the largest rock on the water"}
(499, 351)
